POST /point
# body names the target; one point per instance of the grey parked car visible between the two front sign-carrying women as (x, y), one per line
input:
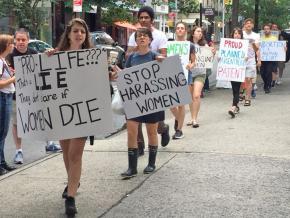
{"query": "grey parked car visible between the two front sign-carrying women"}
(116, 54)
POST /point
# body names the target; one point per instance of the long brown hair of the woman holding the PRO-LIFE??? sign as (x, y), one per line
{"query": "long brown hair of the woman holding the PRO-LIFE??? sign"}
(64, 43)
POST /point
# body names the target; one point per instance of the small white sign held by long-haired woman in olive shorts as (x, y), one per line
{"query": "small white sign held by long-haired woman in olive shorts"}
(204, 57)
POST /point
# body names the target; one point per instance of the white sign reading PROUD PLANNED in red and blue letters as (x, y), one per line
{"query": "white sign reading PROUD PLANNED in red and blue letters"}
(232, 60)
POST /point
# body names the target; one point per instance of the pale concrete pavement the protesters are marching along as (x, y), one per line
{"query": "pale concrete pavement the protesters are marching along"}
(226, 168)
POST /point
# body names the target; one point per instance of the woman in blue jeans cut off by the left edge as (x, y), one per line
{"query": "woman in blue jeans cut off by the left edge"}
(7, 80)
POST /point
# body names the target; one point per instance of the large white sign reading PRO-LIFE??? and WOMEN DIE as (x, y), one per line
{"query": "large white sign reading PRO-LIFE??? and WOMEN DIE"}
(63, 96)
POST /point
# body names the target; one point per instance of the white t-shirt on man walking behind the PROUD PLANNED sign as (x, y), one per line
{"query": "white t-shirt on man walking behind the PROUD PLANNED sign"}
(253, 38)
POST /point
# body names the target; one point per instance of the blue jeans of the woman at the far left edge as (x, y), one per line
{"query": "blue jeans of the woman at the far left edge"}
(5, 112)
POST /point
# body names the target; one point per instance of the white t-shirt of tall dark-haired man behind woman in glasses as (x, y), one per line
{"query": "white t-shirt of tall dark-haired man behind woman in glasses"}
(159, 40)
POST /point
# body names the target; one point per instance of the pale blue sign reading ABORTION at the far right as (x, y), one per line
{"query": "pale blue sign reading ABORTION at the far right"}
(273, 50)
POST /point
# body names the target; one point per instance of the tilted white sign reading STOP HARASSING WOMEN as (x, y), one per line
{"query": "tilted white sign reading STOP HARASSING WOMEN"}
(153, 87)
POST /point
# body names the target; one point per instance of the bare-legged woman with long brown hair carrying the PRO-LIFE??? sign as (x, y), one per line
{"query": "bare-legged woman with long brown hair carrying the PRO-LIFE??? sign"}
(76, 36)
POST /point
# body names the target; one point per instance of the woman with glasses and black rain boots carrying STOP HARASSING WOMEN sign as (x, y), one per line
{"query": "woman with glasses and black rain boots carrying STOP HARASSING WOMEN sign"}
(143, 54)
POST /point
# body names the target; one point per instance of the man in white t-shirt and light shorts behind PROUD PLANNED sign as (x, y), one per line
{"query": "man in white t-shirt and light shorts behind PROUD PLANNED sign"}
(252, 63)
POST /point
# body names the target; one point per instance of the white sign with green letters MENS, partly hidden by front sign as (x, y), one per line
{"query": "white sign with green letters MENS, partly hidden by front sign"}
(181, 48)
